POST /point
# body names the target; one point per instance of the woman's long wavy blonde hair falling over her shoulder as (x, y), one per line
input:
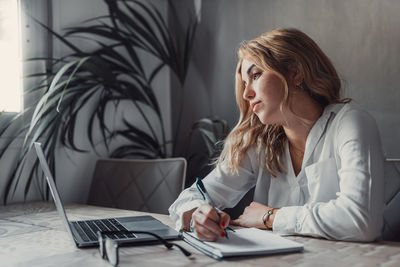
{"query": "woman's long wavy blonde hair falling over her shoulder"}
(282, 51)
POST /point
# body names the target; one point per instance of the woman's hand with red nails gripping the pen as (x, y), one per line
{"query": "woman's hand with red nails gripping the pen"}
(209, 224)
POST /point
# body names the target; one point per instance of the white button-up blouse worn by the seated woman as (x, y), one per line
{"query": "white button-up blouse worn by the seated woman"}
(338, 193)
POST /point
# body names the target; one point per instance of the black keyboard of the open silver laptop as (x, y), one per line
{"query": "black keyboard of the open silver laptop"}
(88, 229)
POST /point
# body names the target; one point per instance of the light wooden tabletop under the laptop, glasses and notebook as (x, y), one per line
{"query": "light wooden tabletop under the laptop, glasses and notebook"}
(32, 234)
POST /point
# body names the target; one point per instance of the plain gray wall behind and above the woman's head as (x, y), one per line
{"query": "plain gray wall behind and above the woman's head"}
(361, 37)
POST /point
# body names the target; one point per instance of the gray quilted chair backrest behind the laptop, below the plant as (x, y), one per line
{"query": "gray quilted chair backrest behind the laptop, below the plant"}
(136, 184)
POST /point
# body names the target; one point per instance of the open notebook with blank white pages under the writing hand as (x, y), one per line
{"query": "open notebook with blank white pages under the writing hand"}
(244, 242)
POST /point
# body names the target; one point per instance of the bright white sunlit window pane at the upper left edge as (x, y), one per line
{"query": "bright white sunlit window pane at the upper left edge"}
(10, 63)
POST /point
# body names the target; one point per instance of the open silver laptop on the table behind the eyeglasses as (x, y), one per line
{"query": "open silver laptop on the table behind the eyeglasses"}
(84, 233)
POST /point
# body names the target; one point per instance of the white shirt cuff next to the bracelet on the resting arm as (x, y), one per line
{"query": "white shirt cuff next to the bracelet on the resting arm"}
(288, 220)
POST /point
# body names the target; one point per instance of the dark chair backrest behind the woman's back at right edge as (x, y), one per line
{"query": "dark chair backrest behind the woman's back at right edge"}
(391, 229)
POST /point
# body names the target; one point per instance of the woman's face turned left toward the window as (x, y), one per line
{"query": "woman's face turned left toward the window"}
(264, 90)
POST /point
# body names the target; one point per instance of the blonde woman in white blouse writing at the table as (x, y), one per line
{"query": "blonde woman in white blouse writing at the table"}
(315, 159)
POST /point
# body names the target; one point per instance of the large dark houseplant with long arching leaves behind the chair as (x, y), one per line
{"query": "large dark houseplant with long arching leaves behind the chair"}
(92, 81)
